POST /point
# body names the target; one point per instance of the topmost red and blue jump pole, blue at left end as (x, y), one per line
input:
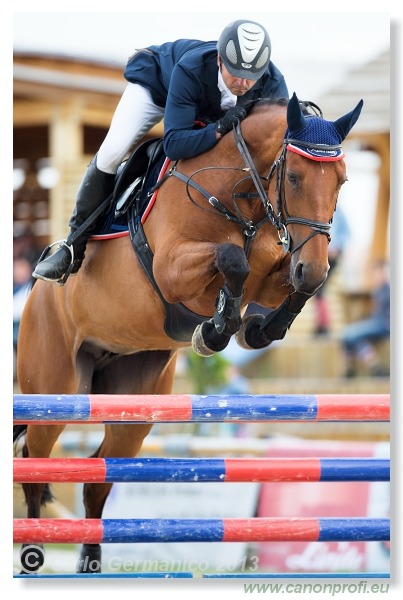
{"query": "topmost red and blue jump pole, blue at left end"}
(176, 408)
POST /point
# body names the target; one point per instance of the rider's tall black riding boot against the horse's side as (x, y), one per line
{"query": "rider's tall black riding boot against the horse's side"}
(95, 188)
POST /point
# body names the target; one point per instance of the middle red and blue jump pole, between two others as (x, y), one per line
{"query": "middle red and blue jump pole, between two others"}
(194, 470)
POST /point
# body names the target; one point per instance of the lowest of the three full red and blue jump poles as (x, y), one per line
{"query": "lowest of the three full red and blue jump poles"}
(271, 529)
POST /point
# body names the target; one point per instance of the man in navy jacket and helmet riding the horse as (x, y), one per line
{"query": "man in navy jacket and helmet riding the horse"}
(184, 82)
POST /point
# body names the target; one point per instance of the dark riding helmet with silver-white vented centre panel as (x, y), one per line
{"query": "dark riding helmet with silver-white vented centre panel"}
(244, 48)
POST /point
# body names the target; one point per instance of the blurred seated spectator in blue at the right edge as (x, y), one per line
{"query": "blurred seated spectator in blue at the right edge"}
(358, 338)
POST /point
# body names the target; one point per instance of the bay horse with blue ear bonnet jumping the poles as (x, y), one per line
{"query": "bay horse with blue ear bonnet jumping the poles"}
(247, 221)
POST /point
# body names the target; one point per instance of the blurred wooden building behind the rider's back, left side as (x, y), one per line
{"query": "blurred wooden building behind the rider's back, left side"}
(63, 107)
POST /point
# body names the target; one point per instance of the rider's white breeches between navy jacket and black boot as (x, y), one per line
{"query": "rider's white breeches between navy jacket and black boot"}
(134, 116)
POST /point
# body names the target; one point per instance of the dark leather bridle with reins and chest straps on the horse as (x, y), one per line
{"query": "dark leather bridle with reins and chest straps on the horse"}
(279, 220)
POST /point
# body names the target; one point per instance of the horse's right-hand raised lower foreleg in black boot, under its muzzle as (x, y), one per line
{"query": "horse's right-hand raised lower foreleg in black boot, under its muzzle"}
(258, 331)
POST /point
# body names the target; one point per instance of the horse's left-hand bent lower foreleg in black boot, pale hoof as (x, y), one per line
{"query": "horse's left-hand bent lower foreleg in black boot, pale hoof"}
(213, 335)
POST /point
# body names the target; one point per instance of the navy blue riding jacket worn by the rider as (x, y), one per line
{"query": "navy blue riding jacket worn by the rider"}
(182, 78)
